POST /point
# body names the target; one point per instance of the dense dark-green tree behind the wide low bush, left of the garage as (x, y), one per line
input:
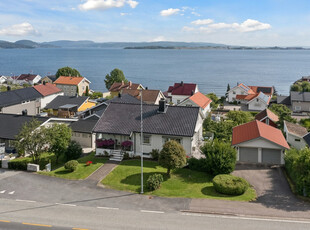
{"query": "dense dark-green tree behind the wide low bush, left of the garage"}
(220, 157)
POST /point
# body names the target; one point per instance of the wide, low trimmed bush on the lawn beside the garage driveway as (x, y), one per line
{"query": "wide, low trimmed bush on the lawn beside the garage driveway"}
(230, 185)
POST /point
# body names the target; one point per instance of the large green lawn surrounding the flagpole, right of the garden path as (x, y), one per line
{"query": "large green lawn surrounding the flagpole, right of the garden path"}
(182, 183)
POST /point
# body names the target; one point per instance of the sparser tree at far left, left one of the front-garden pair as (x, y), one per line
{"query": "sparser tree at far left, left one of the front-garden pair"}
(32, 139)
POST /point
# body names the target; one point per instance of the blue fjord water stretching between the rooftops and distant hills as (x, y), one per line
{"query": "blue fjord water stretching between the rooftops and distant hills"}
(157, 69)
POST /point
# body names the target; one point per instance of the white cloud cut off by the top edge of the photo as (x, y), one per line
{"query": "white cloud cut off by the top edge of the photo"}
(106, 4)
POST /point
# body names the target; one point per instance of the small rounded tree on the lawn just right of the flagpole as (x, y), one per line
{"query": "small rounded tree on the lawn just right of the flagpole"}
(172, 156)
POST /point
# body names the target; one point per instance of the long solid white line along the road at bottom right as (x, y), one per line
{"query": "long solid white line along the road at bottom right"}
(248, 218)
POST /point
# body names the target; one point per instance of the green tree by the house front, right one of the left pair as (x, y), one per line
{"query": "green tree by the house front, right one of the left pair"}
(60, 136)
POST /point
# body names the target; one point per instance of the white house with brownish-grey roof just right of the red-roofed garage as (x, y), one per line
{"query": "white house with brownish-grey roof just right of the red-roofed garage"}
(295, 135)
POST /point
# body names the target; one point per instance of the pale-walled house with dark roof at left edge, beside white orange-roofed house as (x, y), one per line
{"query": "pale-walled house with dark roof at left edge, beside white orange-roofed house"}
(26, 100)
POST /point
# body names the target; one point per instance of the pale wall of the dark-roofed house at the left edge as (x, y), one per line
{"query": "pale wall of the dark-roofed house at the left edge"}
(33, 108)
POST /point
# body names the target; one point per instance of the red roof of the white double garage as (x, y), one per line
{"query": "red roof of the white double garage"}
(256, 129)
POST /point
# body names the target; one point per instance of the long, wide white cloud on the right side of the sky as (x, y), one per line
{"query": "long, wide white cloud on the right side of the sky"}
(207, 25)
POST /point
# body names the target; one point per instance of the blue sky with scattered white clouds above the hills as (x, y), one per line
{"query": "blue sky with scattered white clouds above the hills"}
(231, 22)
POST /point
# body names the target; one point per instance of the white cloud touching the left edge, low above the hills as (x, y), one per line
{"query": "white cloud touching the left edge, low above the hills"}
(22, 29)
